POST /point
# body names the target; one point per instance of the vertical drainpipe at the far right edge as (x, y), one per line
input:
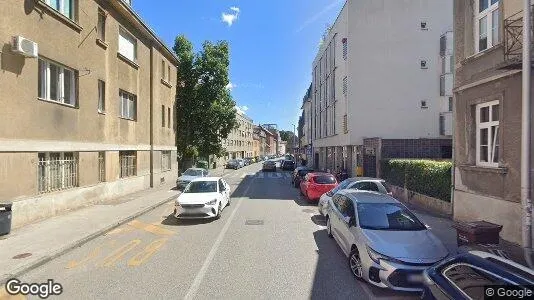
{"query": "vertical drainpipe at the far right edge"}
(526, 200)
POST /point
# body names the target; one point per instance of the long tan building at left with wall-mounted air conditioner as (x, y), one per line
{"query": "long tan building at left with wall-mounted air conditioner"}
(87, 93)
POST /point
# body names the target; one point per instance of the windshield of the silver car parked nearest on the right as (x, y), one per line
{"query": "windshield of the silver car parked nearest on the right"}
(387, 216)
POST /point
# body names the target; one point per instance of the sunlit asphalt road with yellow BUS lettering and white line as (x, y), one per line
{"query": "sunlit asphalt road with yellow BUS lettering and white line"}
(269, 244)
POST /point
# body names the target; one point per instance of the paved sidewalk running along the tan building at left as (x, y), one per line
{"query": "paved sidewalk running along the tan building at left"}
(50, 238)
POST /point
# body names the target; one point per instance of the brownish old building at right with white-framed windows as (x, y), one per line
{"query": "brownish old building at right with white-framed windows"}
(487, 95)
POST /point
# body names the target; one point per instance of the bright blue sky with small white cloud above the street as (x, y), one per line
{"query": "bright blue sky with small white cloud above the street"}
(272, 45)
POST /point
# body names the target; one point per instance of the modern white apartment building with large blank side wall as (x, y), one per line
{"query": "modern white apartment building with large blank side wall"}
(376, 85)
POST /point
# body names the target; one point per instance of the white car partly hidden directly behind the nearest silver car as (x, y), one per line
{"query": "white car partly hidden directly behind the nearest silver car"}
(358, 183)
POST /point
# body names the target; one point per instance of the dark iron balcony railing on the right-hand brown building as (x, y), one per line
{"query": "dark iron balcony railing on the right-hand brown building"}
(513, 37)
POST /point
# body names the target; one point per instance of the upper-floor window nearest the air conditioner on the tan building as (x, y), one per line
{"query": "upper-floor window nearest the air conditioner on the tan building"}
(56, 83)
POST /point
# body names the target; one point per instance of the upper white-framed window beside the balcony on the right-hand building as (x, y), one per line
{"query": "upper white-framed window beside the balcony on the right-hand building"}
(486, 24)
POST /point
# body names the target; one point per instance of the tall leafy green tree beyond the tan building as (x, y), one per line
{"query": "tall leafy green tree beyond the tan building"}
(206, 112)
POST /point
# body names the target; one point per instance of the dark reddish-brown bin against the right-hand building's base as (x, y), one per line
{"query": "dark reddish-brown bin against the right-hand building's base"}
(478, 232)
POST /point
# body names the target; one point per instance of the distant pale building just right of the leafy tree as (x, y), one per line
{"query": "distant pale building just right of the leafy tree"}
(239, 143)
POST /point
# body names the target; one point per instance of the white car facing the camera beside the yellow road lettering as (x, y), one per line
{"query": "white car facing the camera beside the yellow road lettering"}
(203, 198)
